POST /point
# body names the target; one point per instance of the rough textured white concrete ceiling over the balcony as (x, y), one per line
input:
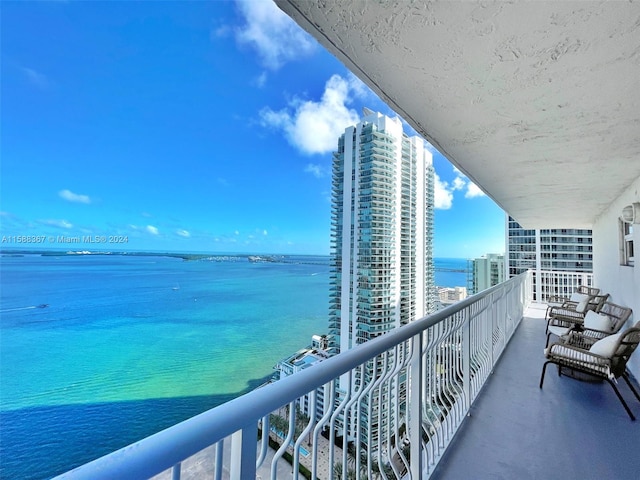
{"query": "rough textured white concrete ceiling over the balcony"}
(537, 102)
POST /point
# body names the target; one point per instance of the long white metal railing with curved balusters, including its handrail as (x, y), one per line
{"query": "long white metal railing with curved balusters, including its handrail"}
(395, 402)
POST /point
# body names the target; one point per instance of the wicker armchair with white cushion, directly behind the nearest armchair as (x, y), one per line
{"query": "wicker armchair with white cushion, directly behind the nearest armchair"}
(562, 319)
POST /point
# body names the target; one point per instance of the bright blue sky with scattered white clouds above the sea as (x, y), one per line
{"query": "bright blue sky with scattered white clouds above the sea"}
(187, 126)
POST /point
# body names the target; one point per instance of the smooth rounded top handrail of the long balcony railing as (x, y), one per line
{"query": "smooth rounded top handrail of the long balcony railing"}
(161, 451)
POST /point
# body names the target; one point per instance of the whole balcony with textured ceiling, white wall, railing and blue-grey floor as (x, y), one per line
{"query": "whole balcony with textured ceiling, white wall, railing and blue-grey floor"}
(542, 115)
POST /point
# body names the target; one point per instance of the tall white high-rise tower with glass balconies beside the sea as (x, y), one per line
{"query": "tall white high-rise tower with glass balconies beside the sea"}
(382, 233)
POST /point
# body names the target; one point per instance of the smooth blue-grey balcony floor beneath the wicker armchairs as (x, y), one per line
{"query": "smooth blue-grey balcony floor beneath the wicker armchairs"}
(570, 429)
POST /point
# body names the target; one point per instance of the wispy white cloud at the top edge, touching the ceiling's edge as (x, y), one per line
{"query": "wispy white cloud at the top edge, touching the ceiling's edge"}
(276, 37)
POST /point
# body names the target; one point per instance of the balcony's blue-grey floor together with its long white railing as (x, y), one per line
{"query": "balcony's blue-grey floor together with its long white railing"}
(461, 414)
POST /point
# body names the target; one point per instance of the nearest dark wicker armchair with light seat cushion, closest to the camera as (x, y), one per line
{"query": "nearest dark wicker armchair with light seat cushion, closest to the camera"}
(608, 362)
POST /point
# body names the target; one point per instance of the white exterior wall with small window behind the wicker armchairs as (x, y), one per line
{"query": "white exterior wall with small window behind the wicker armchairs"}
(621, 282)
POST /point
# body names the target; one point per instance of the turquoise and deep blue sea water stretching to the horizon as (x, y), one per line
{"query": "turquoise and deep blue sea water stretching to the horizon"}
(98, 351)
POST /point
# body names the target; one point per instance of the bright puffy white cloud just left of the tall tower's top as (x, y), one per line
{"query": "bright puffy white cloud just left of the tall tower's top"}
(313, 127)
